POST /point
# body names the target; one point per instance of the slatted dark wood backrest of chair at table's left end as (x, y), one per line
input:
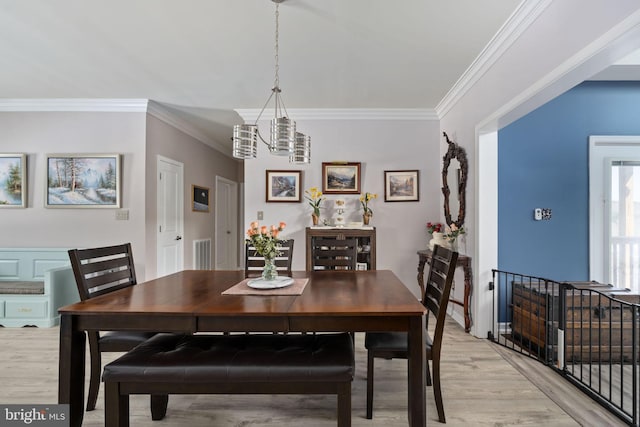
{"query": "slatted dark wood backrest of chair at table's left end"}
(102, 270)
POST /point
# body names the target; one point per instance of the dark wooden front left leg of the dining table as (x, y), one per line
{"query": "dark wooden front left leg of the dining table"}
(71, 369)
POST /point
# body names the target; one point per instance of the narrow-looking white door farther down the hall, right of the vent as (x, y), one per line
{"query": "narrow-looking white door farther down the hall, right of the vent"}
(226, 224)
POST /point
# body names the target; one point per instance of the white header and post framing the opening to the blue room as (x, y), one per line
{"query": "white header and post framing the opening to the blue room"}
(567, 43)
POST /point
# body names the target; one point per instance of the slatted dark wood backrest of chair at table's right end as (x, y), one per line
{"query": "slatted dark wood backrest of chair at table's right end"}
(438, 289)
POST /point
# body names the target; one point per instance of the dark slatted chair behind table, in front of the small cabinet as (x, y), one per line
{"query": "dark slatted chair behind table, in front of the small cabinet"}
(334, 254)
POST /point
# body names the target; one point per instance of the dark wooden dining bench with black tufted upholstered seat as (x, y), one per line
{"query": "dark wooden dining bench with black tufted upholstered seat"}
(232, 364)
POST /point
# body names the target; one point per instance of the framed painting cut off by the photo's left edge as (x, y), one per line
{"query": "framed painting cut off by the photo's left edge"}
(13, 180)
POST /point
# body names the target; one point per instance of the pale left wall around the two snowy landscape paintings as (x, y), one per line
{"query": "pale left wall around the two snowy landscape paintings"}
(40, 133)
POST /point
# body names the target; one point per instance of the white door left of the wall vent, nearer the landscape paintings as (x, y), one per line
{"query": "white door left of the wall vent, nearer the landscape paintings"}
(170, 216)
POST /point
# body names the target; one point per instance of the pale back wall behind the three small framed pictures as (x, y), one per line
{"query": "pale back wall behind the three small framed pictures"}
(379, 145)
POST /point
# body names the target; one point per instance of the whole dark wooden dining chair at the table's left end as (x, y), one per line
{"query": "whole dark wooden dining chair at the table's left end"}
(99, 271)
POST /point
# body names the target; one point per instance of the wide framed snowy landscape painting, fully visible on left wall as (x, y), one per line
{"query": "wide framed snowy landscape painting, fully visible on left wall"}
(83, 181)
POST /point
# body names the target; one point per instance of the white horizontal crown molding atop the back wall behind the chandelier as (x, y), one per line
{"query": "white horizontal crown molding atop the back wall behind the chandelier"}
(251, 115)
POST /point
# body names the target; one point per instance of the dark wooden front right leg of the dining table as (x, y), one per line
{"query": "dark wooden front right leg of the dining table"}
(417, 373)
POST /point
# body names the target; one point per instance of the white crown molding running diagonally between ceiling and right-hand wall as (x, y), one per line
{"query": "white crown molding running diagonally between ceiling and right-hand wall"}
(526, 13)
